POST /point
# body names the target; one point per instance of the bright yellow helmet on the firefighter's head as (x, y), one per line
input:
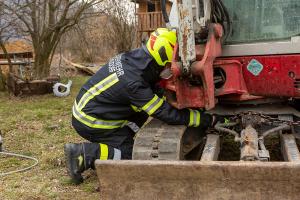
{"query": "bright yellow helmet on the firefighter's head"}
(161, 45)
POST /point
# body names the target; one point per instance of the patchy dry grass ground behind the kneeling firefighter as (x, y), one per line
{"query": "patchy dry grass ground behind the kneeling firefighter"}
(39, 126)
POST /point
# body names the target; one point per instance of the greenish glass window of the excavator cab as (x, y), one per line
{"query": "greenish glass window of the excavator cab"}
(263, 20)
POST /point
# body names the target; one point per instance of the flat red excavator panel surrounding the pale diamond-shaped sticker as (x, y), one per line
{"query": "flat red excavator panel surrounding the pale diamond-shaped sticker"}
(278, 77)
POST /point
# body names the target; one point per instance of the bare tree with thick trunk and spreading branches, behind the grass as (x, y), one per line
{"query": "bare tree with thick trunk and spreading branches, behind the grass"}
(46, 21)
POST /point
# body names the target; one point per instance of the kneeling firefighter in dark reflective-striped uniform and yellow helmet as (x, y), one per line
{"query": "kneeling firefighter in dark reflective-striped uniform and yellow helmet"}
(114, 103)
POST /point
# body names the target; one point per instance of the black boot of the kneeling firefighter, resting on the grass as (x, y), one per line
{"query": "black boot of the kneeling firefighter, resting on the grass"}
(74, 154)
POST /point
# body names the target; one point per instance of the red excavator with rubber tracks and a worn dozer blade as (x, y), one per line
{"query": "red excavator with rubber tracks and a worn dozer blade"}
(235, 58)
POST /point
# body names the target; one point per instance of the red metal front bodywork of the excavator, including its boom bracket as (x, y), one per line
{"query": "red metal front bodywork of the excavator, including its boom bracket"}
(247, 78)
